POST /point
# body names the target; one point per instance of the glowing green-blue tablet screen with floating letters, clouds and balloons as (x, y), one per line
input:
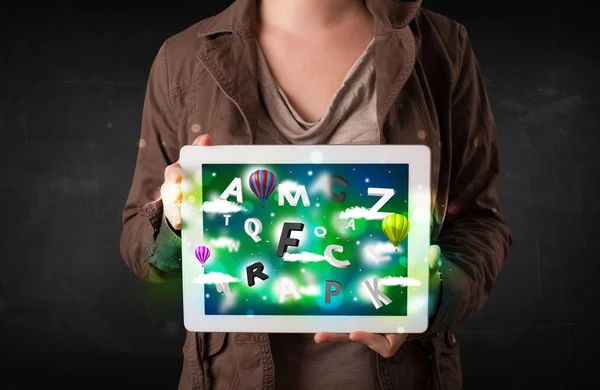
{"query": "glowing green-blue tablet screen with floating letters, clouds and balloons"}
(336, 209)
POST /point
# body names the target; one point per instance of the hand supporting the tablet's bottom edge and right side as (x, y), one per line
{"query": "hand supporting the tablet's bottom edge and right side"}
(388, 344)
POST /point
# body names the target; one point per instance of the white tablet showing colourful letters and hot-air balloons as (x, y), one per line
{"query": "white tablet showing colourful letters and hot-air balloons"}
(303, 239)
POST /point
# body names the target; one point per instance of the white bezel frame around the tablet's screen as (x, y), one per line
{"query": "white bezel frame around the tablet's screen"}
(418, 157)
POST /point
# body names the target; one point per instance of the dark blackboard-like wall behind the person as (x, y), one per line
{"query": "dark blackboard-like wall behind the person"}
(72, 81)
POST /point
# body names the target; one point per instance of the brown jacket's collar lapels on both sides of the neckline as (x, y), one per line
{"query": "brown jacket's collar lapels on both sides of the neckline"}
(231, 59)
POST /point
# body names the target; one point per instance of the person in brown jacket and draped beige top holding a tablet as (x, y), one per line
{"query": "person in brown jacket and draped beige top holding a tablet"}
(326, 72)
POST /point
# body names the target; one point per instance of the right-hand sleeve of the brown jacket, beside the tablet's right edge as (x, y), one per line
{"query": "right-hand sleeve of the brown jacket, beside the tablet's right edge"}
(474, 239)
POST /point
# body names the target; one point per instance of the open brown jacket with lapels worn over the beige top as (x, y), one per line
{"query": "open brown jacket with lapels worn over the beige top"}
(429, 91)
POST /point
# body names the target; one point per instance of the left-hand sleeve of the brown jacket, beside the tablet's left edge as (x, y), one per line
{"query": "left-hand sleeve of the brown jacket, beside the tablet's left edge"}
(149, 246)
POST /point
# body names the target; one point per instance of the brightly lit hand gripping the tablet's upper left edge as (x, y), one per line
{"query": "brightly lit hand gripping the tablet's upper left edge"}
(170, 191)
